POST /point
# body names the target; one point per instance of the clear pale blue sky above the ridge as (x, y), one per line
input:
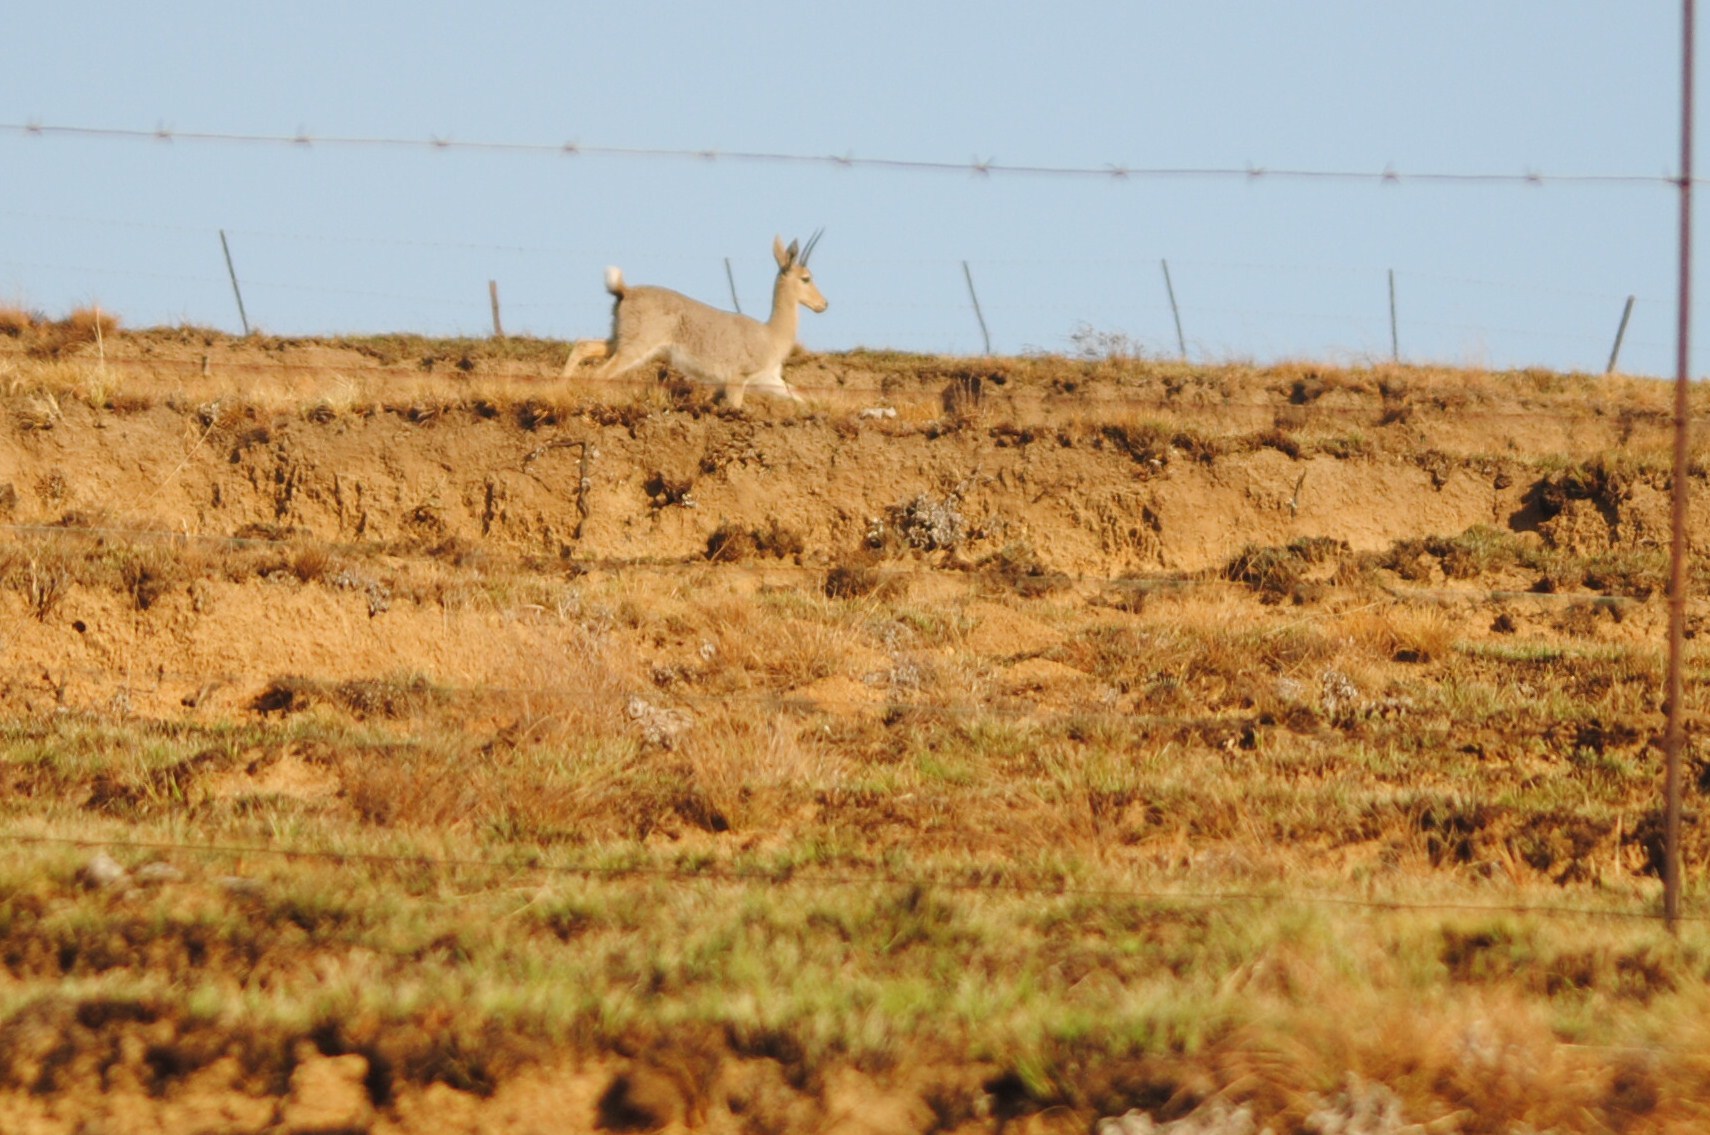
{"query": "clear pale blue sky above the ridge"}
(338, 238)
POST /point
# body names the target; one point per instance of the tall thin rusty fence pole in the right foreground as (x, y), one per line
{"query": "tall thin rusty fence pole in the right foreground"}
(1675, 732)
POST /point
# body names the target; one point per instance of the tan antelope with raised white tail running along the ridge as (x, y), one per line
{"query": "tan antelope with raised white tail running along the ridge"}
(704, 343)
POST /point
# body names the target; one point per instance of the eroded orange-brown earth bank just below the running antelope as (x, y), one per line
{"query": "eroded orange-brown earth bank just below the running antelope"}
(1100, 476)
